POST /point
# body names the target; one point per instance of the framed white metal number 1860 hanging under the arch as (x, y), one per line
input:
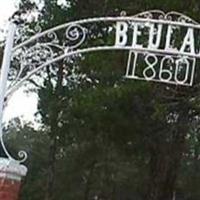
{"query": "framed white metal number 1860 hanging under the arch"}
(168, 69)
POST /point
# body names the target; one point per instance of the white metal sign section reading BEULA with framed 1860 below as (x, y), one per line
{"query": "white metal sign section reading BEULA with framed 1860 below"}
(167, 47)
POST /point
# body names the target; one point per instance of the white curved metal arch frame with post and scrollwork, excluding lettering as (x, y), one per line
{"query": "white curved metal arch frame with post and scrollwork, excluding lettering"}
(45, 48)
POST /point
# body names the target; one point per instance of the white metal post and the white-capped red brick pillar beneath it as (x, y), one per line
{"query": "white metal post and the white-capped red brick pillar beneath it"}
(11, 171)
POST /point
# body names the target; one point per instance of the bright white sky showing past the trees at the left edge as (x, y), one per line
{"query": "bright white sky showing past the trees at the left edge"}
(20, 105)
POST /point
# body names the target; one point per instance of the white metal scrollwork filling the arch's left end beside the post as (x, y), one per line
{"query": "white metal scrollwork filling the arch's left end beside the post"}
(47, 46)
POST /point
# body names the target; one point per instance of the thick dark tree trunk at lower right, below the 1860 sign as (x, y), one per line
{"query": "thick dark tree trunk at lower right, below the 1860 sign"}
(165, 162)
